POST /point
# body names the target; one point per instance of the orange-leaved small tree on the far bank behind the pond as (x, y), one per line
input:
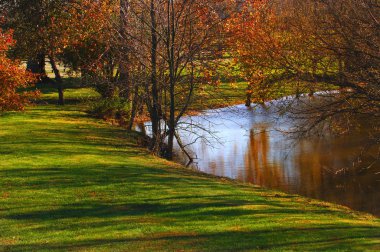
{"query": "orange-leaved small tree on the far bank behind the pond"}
(255, 44)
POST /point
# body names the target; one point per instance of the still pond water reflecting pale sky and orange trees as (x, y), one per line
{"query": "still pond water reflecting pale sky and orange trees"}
(248, 144)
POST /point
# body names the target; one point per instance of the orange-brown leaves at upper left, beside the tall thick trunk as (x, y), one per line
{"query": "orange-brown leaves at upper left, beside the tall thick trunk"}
(85, 30)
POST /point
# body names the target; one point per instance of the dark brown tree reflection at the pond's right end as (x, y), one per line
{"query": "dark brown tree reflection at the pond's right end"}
(326, 172)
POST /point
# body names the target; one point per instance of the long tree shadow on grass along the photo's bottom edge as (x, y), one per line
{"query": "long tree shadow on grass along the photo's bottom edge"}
(282, 239)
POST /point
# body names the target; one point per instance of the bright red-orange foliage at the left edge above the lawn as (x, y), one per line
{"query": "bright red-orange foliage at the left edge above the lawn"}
(12, 78)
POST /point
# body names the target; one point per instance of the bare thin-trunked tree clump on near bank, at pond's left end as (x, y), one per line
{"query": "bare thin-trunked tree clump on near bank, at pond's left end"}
(172, 43)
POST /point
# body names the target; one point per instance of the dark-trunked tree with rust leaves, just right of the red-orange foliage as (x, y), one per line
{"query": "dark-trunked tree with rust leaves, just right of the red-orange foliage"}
(45, 29)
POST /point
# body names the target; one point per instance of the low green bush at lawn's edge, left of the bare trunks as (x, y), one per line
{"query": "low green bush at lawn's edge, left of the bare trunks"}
(112, 109)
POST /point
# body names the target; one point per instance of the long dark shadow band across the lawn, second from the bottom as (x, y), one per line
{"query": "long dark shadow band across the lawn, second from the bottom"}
(220, 209)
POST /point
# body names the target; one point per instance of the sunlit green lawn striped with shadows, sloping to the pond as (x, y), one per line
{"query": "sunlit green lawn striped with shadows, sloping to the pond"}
(72, 183)
